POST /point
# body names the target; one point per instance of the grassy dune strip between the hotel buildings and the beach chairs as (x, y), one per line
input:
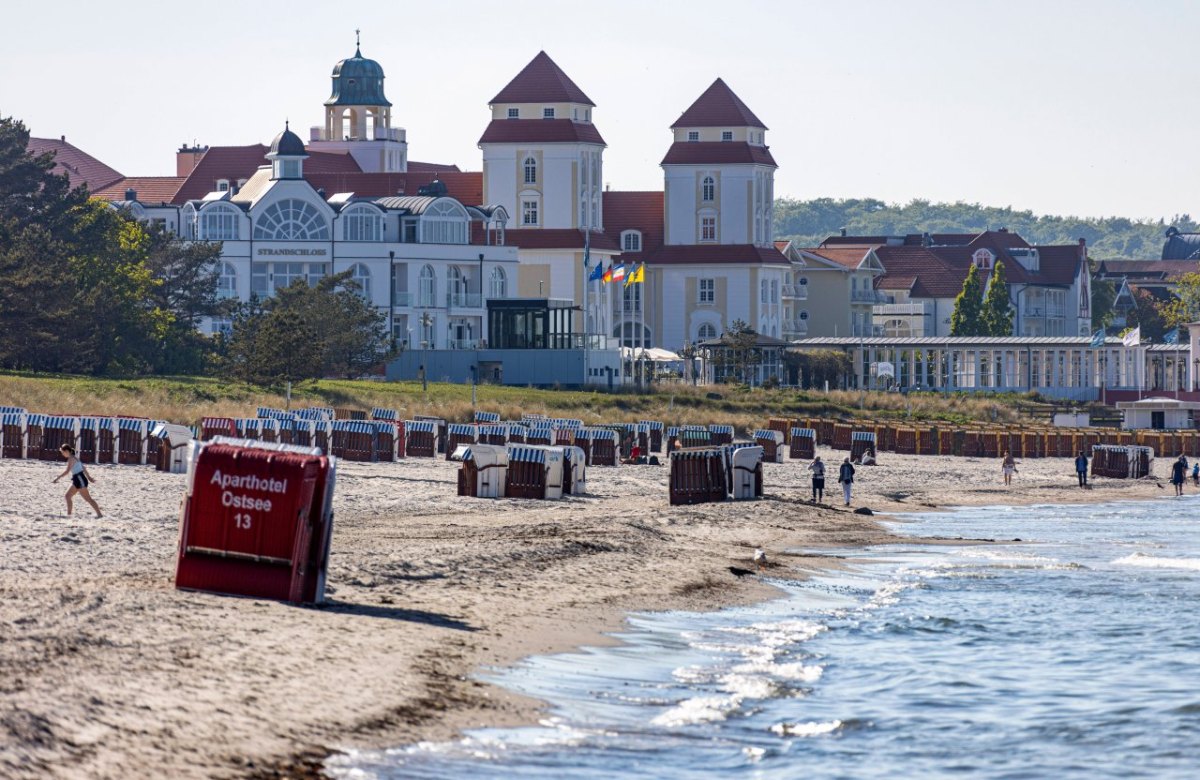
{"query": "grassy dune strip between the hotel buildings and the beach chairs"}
(188, 399)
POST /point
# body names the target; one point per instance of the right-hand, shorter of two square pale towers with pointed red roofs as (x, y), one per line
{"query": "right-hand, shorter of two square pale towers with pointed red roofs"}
(719, 175)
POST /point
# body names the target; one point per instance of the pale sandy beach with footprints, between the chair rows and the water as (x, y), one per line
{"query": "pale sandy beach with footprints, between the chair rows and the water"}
(107, 671)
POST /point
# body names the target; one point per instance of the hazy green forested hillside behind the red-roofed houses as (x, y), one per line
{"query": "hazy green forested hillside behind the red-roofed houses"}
(812, 221)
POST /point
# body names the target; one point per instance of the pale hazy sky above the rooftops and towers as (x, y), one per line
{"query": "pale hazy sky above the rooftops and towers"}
(1060, 107)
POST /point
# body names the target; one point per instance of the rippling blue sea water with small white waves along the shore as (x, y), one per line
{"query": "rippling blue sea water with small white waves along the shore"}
(1075, 652)
